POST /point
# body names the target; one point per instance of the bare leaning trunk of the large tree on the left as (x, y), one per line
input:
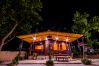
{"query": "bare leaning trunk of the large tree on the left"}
(7, 35)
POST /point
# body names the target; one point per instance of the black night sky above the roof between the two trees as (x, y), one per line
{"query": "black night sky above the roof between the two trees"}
(58, 14)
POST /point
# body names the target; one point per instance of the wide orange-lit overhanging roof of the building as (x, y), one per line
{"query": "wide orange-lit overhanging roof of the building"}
(61, 35)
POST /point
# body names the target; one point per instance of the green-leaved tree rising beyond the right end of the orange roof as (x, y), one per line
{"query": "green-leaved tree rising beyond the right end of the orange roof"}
(84, 24)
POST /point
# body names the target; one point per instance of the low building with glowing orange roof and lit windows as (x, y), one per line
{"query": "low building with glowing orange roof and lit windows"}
(56, 42)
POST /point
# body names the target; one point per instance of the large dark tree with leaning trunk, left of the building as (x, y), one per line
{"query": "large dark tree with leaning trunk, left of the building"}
(18, 17)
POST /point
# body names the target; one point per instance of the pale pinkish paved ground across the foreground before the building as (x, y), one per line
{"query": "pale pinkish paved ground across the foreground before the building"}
(95, 62)
